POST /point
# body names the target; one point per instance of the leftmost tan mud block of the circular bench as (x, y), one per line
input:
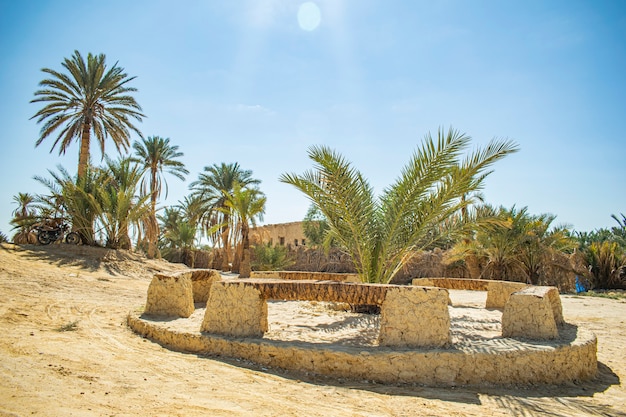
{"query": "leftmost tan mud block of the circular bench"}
(170, 295)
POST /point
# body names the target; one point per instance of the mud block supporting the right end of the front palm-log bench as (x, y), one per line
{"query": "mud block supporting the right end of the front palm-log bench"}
(414, 317)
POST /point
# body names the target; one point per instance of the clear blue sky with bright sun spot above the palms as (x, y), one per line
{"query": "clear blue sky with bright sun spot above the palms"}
(259, 81)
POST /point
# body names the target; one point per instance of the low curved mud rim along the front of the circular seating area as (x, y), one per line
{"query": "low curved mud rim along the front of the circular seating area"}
(571, 359)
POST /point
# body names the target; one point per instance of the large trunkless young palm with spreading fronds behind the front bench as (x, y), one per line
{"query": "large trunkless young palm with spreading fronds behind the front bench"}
(383, 234)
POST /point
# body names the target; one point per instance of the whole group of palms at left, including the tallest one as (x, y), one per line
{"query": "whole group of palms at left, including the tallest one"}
(108, 204)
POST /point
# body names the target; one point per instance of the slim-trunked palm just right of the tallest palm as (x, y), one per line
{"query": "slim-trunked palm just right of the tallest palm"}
(155, 154)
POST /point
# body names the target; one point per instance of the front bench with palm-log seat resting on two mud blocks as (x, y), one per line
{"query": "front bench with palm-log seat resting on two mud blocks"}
(410, 315)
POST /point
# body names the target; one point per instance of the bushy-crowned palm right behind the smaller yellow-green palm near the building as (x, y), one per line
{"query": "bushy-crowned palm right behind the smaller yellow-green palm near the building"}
(213, 187)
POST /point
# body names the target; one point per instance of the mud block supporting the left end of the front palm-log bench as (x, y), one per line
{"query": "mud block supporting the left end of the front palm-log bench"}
(235, 309)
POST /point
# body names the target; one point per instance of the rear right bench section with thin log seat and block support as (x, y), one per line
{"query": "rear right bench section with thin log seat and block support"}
(498, 292)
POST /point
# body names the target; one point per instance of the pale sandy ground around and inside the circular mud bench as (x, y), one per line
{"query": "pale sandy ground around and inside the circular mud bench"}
(65, 351)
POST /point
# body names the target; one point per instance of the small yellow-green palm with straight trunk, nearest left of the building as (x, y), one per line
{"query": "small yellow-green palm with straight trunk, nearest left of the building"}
(247, 205)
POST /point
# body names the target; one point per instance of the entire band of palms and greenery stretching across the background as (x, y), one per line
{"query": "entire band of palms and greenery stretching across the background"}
(434, 210)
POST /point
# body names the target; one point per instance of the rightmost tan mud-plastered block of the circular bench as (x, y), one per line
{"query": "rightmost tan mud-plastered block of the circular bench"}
(530, 314)
